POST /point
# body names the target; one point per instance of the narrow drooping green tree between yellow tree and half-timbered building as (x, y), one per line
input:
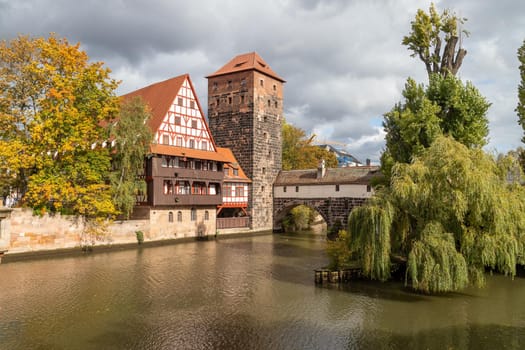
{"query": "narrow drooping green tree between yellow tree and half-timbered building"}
(132, 138)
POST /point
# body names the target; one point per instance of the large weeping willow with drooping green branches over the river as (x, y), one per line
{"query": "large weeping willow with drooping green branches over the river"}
(452, 213)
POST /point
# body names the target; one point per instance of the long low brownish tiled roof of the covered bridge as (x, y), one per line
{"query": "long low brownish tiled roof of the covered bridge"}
(350, 175)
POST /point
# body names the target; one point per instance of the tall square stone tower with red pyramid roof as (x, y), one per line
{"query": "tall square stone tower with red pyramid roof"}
(245, 112)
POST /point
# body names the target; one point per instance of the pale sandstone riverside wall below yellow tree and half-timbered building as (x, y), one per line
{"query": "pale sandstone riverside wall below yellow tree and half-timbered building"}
(24, 232)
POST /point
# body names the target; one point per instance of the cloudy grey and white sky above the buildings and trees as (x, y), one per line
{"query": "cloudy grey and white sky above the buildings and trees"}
(343, 60)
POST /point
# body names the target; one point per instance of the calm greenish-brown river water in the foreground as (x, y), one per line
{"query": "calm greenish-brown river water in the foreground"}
(243, 293)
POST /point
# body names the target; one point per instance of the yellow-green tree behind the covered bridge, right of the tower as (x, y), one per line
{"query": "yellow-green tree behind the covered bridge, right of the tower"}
(299, 152)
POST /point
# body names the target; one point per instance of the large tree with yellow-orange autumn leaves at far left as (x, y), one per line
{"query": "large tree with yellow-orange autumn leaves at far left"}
(52, 105)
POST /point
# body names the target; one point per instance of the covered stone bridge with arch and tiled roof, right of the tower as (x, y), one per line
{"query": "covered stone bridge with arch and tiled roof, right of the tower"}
(333, 193)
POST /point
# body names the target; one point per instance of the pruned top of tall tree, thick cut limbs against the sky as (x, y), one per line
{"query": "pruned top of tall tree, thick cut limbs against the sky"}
(428, 33)
